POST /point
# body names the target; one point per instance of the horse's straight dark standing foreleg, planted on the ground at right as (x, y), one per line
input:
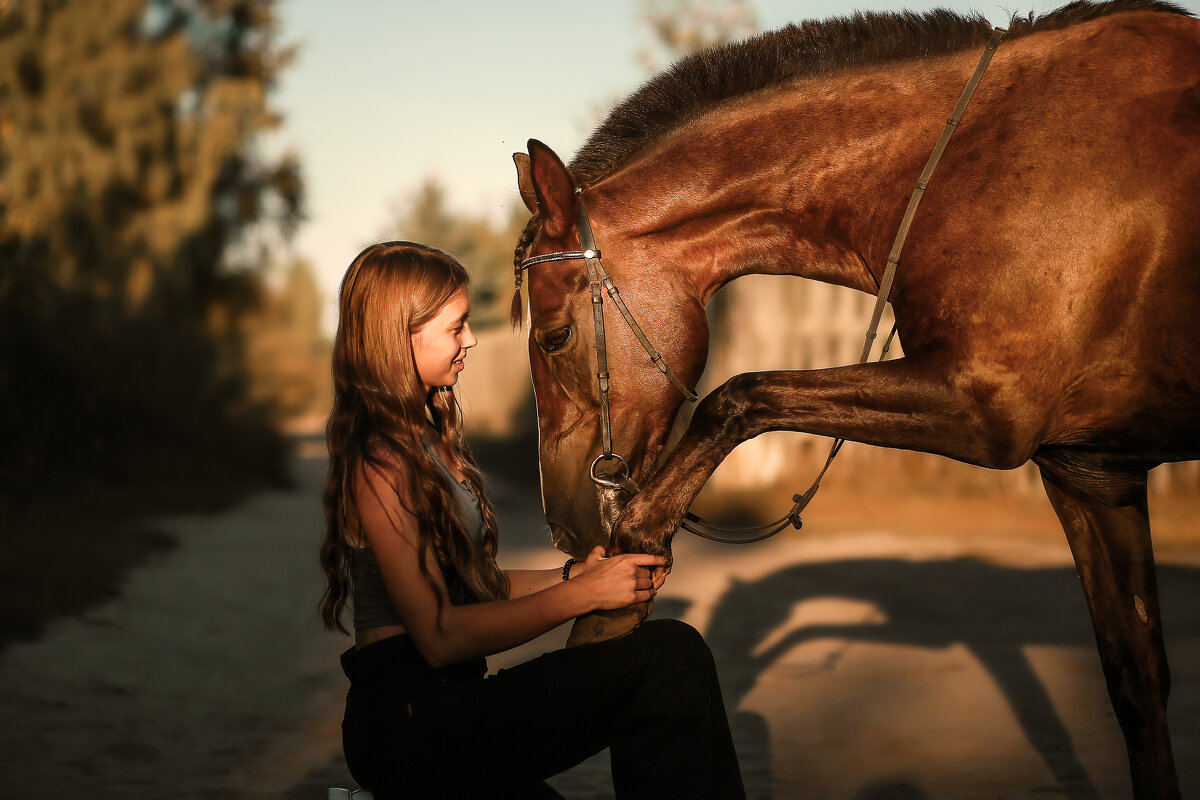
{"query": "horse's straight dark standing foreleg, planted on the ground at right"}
(1106, 518)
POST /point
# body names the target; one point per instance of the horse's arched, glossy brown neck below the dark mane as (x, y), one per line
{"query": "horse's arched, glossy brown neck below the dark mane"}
(807, 182)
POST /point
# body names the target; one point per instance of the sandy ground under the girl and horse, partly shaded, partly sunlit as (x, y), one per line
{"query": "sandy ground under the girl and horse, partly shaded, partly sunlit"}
(914, 652)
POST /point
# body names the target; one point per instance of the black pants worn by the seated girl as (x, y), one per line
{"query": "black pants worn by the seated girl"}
(652, 697)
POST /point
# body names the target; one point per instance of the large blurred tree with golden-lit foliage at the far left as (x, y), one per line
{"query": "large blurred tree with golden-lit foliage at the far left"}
(128, 177)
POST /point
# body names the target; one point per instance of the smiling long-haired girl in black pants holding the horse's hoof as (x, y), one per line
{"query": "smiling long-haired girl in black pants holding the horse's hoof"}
(411, 542)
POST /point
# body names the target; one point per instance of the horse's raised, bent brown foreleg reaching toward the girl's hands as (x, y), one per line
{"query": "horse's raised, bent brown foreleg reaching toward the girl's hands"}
(904, 404)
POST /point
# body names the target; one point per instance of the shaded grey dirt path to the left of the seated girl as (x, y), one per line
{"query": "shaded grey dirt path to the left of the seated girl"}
(203, 679)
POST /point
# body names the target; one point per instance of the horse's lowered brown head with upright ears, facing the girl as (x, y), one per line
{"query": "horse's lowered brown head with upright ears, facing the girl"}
(563, 348)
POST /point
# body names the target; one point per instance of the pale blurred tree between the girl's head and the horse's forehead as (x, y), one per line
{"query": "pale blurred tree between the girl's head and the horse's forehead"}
(484, 246)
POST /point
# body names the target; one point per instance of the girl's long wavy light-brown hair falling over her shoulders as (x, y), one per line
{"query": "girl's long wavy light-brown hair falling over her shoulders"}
(381, 413)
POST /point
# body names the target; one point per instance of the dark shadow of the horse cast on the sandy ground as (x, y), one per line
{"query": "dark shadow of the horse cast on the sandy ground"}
(992, 610)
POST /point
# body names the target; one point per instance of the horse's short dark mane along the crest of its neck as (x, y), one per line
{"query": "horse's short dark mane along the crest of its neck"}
(709, 79)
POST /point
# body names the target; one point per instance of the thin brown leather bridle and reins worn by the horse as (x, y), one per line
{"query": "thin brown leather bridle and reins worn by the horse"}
(598, 280)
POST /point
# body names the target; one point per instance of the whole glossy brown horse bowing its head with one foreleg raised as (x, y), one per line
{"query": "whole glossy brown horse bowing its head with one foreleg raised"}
(1047, 298)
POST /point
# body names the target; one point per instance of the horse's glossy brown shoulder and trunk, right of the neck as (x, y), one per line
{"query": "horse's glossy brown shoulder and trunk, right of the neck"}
(1079, 170)
